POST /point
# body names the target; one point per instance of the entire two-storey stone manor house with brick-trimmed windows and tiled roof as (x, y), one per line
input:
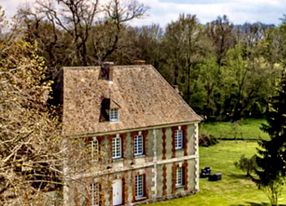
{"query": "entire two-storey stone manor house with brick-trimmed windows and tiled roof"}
(130, 138)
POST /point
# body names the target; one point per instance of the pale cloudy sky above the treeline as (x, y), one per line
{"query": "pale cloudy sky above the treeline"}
(165, 11)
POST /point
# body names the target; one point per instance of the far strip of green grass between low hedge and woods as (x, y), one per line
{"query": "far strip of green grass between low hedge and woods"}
(248, 129)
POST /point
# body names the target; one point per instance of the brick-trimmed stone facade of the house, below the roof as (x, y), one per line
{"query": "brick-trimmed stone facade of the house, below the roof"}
(158, 165)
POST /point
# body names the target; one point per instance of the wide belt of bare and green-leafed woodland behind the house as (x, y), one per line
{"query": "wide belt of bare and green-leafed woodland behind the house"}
(224, 71)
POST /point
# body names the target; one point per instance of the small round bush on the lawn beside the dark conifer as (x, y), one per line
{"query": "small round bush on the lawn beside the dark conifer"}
(247, 165)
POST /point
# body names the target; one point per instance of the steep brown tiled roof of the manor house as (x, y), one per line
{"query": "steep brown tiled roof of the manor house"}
(142, 95)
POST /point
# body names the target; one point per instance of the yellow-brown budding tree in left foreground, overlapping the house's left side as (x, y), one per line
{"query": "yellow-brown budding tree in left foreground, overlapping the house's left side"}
(30, 154)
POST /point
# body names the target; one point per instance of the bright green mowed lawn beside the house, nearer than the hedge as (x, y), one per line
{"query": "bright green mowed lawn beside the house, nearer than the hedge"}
(234, 188)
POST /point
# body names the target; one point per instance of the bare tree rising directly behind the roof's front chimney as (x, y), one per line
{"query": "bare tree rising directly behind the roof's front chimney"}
(106, 34)
